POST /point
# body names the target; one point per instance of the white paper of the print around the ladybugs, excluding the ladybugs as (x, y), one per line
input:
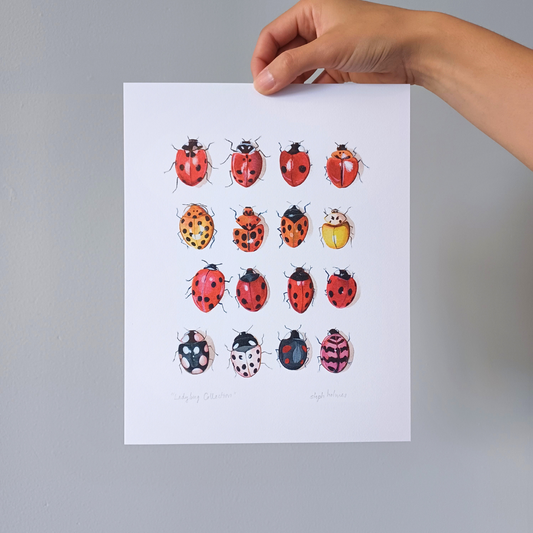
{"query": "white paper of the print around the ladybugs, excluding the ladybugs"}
(370, 401)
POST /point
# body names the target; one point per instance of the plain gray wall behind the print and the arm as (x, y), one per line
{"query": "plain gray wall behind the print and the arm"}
(63, 466)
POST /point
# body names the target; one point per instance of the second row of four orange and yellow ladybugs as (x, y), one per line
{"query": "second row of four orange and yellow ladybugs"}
(197, 228)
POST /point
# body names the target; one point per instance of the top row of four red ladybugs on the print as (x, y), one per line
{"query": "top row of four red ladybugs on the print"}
(248, 164)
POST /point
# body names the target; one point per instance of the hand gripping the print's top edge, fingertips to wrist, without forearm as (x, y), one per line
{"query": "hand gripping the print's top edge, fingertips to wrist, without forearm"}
(353, 40)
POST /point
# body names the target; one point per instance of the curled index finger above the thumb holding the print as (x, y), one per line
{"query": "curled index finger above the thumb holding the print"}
(280, 32)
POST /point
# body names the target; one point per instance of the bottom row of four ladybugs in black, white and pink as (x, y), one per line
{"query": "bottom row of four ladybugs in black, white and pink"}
(196, 355)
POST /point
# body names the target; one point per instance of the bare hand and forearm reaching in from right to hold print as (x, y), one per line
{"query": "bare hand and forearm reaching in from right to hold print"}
(484, 76)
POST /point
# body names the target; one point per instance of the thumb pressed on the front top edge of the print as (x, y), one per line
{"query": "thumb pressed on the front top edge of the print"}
(285, 68)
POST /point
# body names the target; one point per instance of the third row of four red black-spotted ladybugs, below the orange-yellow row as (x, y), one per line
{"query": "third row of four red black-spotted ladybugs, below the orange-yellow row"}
(209, 285)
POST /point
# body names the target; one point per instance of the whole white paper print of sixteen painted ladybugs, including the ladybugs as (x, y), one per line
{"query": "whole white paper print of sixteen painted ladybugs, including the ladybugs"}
(267, 264)
